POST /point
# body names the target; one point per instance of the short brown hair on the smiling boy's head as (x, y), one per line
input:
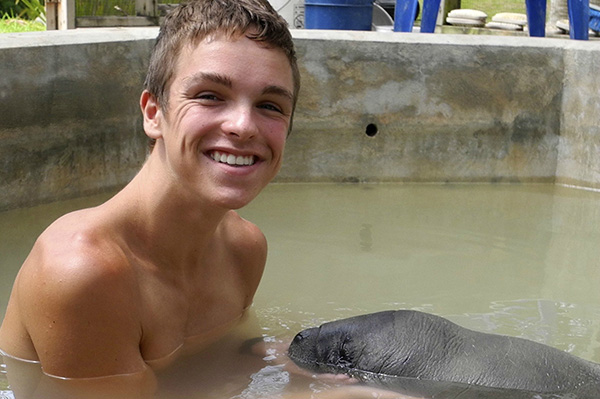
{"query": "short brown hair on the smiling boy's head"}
(192, 21)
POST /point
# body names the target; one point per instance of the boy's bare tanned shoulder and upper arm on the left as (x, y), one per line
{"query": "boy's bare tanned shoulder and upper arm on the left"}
(80, 310)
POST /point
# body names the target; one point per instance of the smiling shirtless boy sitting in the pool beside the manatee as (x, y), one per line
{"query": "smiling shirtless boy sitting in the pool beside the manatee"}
(120, 290)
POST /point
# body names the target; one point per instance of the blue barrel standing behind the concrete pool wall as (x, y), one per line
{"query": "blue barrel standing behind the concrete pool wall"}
(338, 14)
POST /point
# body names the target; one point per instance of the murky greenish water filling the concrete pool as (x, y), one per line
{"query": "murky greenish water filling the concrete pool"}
(522, 260)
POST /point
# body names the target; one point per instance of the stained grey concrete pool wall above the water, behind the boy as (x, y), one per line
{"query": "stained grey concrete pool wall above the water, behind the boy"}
(438, 108)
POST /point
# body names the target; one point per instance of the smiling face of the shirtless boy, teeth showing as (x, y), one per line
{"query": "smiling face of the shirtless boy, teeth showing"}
(227, 118)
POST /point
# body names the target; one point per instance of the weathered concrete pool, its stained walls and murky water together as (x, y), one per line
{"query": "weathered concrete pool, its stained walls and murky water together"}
(379, 109)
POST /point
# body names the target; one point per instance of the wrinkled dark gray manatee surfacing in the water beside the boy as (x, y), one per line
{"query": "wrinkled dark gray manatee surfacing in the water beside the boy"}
(407, 349)
